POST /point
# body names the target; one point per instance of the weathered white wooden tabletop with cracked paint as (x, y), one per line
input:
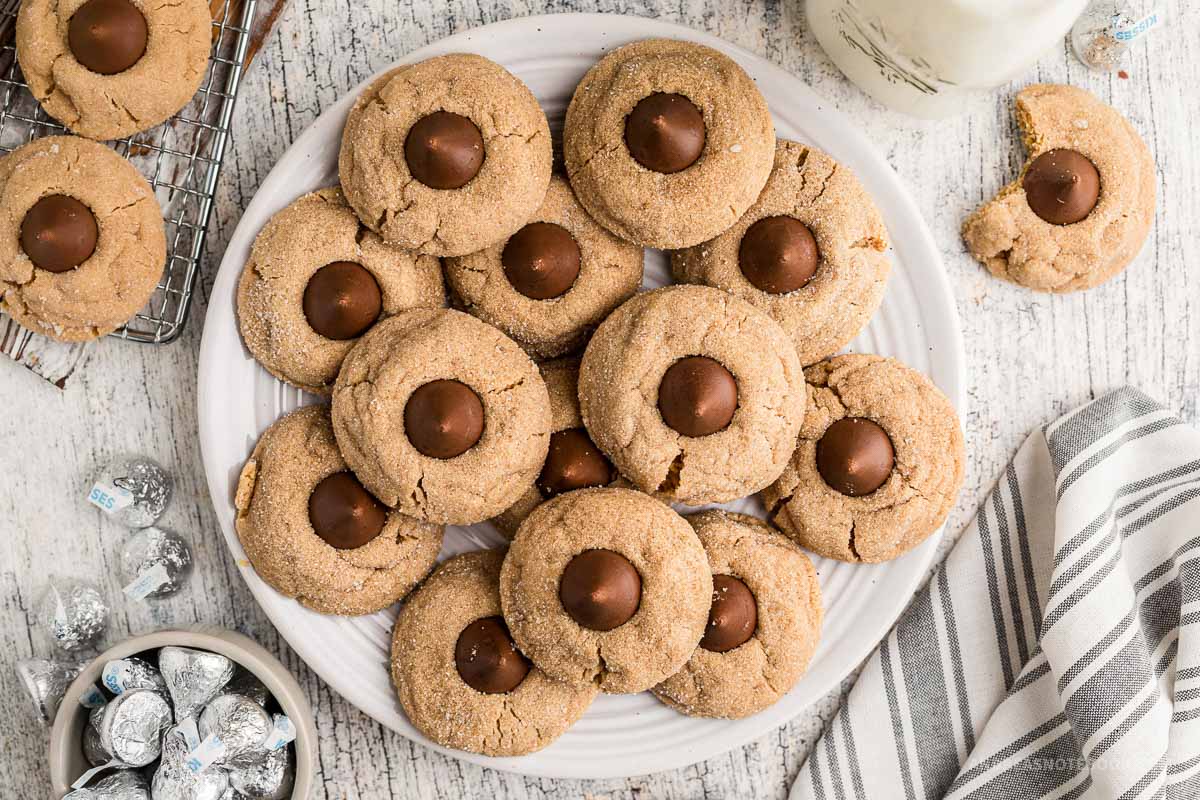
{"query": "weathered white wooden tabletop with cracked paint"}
(1030, 358)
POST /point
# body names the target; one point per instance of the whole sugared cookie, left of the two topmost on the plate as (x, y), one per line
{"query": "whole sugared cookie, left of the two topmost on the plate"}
(447, 157)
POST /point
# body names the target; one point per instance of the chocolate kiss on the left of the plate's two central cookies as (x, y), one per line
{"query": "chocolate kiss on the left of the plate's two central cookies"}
(445, 419)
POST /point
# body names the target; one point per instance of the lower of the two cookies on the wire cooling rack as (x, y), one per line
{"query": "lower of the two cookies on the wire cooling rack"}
(82, 242)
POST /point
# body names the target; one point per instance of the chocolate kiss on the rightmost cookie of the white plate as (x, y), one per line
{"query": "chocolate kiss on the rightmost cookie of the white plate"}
(855, 456)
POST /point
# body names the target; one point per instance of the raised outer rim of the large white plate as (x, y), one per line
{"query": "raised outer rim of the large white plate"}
(905, 213)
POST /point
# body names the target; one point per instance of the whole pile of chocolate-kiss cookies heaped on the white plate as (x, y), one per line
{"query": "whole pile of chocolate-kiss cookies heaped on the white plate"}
(573, 412)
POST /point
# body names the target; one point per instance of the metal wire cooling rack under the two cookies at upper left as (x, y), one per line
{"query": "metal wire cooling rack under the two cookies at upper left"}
(182, 159)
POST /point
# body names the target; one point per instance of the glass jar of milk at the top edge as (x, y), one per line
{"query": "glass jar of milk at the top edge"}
(923, 57)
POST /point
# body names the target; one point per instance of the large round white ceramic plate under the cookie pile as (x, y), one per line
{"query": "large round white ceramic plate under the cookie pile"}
(621, 736)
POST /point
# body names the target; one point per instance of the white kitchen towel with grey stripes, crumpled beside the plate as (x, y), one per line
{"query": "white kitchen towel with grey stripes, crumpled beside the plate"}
(1057, 653)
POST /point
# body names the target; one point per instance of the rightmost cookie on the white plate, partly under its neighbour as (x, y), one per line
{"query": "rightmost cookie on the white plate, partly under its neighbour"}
(879, 464)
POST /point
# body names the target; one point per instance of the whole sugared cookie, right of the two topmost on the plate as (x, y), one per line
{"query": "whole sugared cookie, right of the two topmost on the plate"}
(668, 143)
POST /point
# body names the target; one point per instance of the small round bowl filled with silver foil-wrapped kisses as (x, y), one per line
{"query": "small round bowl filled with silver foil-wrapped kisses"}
(197, 713)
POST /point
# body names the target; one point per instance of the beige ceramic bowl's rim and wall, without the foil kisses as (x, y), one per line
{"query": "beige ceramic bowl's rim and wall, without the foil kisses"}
(68, 762)
